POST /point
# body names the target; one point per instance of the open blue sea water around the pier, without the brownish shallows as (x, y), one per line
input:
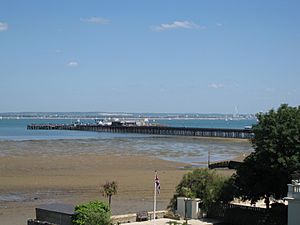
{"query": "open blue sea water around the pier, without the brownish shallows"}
(15, 129)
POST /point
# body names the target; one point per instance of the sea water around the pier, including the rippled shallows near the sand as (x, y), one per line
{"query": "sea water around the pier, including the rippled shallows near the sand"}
(15, 139)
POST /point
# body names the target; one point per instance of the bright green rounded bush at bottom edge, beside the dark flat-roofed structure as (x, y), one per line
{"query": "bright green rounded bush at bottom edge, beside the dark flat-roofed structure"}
(92, 213)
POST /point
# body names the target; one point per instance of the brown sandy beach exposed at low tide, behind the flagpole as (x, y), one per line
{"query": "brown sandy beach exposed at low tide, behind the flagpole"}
(33, 173)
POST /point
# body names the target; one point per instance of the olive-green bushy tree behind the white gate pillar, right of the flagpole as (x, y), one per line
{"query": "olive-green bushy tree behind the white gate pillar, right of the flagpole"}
(204, 184)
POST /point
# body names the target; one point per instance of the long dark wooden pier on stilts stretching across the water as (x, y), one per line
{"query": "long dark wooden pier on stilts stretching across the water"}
(155, 130)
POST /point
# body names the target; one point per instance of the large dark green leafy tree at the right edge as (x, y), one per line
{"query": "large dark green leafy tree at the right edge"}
(267, 171)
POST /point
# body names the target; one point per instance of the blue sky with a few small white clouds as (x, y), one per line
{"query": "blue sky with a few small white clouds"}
(196, 56)
